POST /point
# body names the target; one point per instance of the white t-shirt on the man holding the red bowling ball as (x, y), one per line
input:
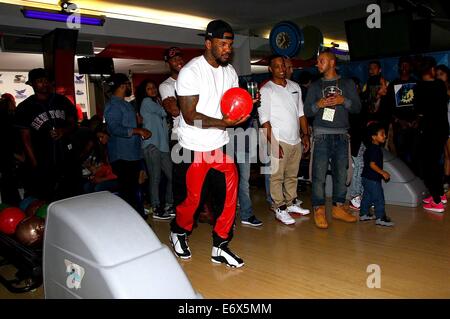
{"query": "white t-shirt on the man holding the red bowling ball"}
(198, 77)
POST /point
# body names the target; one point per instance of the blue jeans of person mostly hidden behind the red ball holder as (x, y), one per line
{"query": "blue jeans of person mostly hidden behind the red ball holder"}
(245, 203)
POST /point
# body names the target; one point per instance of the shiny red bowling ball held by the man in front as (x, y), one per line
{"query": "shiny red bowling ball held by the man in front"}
(236, 103)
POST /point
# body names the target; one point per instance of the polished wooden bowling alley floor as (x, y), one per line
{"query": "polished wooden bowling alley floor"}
(302, 261)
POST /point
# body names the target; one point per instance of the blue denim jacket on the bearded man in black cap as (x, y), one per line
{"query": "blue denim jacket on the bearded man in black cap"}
(120, 118)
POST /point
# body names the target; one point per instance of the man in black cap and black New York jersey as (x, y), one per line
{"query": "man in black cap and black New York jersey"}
(46, 122)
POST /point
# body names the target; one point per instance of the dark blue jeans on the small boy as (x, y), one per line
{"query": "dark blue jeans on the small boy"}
(373, 194)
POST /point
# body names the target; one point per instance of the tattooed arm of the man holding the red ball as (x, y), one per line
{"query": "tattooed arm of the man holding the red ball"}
(188, 106)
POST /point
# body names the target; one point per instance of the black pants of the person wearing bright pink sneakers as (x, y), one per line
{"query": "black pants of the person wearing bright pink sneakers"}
(431, 168)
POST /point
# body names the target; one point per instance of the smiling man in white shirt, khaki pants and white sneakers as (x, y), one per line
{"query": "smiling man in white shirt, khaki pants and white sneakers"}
(281, 115)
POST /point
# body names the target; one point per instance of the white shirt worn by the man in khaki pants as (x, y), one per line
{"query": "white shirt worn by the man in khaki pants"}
(282, 107)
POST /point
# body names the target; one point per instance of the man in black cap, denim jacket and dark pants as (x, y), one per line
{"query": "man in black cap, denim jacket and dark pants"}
(124, 145)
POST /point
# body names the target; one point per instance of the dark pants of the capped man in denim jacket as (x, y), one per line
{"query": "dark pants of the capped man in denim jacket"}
(127, 173)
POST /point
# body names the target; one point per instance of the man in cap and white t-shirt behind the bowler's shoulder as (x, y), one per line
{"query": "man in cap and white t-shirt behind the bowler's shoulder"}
(174, 58)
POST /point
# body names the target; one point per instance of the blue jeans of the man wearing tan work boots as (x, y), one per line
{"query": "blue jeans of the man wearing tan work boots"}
(329, 149)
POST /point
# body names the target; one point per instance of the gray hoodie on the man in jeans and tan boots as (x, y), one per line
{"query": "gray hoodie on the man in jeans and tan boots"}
(340, 123)
